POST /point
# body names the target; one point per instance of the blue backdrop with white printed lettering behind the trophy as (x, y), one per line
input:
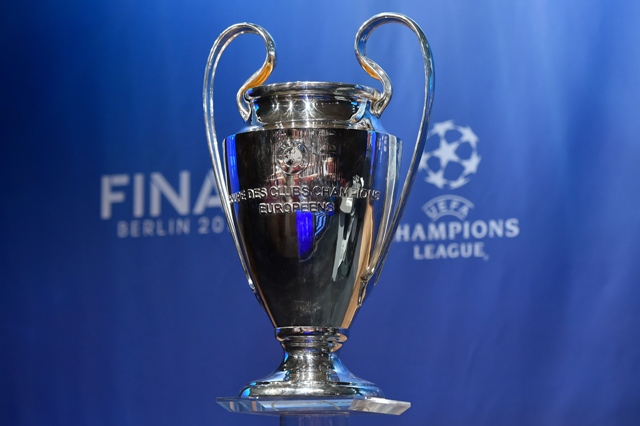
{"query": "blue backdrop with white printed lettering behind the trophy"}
(510, 295)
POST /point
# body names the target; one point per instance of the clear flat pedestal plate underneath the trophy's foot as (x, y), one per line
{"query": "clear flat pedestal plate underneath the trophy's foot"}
(332, 411)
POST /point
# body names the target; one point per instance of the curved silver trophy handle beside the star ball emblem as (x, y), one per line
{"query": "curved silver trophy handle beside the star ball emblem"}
(374, 70)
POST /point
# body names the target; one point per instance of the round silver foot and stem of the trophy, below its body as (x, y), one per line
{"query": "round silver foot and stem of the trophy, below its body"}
(311, 368)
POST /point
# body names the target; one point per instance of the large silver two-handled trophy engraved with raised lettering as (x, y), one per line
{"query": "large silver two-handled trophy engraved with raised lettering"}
(310, 191)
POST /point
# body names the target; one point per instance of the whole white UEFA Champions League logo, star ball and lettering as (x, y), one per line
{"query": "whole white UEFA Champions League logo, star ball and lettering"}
(450, 160)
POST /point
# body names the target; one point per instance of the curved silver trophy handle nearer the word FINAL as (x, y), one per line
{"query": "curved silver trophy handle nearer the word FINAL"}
(259, 77)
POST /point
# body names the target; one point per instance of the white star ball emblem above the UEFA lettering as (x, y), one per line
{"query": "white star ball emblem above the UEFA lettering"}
(451, 155)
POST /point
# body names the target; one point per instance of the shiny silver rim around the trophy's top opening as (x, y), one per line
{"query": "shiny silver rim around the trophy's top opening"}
(306, 88)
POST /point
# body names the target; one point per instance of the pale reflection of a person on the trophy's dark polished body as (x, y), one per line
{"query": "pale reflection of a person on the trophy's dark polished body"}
(348, 222)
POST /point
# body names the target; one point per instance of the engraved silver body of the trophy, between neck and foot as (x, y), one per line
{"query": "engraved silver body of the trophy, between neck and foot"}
(310, 206)
